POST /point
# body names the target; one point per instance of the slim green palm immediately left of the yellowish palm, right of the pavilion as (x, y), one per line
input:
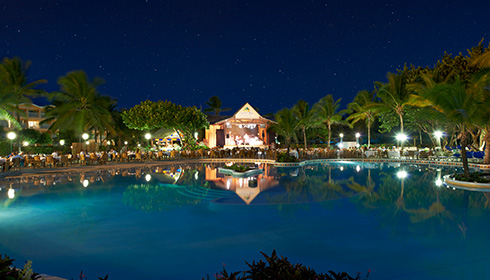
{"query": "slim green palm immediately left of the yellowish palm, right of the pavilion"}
(327, 110)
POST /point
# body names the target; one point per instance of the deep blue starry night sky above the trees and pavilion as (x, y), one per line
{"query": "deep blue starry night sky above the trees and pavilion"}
(267, 53)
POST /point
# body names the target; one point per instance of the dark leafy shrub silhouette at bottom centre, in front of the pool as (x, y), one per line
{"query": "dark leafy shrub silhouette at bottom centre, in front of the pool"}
(280, 268)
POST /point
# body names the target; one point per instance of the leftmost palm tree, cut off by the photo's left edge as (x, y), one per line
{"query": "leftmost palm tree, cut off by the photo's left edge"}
(14, 84)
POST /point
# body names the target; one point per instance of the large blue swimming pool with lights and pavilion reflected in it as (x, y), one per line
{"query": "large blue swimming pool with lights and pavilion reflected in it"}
(186, 221)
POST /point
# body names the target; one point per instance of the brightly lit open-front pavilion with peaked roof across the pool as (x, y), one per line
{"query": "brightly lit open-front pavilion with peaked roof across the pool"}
(246, 128)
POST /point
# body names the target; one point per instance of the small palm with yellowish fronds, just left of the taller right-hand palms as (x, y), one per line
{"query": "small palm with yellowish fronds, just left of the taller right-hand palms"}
(363, 110)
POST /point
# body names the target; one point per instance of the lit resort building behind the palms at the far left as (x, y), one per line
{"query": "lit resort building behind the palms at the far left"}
(31, 118)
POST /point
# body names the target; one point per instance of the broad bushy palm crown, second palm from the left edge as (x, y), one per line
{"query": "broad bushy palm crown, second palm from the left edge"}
(79, 107)
